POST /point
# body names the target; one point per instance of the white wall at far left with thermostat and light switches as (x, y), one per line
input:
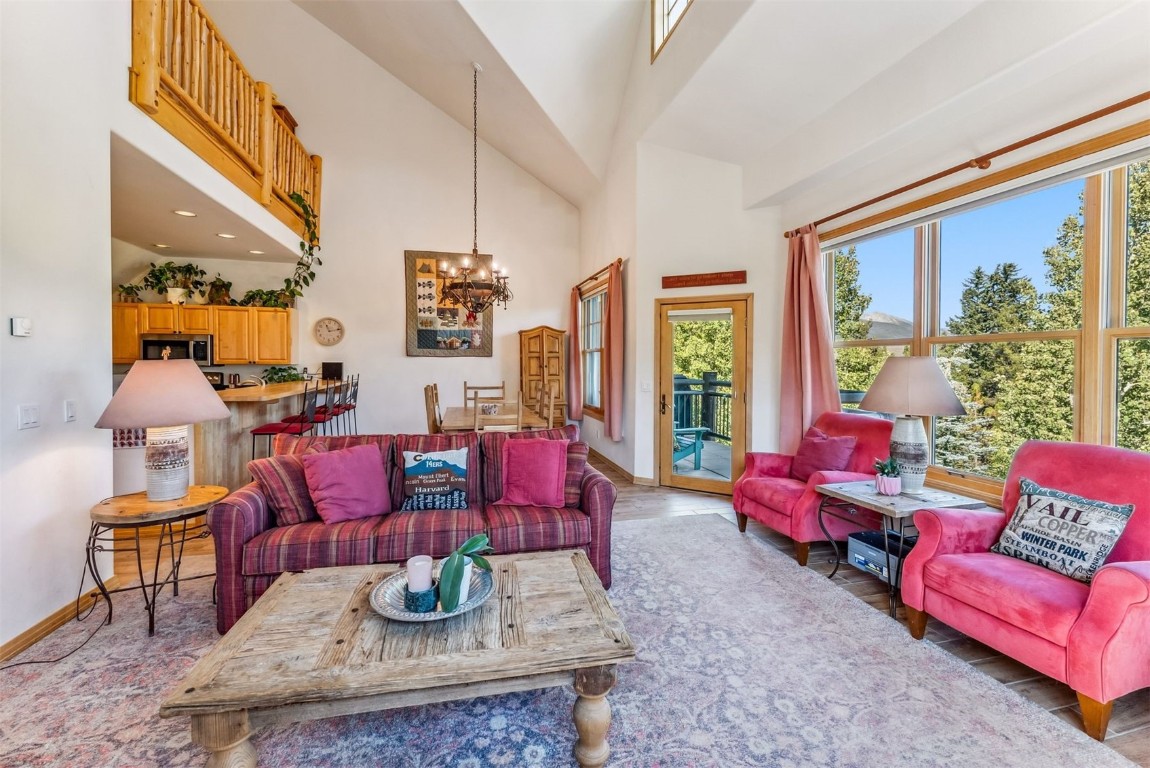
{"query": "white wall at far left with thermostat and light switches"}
(56, 214)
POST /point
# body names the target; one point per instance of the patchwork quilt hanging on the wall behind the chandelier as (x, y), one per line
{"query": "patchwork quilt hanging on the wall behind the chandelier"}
(435, 327)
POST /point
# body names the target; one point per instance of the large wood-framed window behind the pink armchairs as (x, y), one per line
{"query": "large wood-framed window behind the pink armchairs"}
(1038, 309)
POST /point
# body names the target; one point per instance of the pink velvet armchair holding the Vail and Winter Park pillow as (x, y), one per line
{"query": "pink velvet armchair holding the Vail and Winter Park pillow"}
(1094, 638)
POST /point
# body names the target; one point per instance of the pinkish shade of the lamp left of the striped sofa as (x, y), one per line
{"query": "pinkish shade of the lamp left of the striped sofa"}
(163, 394)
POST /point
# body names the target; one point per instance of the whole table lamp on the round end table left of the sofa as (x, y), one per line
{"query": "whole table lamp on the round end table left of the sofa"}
(164, 396)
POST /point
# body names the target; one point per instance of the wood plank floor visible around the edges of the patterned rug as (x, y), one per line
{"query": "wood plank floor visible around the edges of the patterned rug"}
(1130, 726)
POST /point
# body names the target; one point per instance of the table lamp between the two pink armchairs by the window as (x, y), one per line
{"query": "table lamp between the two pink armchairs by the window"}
(910, 388)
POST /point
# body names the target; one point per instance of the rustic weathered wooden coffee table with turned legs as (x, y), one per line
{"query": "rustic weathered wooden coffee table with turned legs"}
(313, 648)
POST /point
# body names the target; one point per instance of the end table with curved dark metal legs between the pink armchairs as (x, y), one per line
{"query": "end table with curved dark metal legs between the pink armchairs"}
(842, 502)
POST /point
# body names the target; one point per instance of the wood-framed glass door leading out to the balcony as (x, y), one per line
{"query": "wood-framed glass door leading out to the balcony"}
(702, 397)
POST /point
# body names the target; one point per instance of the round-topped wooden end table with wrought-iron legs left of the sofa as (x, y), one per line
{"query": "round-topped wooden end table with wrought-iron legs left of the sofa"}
(134, 511)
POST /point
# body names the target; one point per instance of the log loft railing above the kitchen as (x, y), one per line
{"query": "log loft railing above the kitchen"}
(190, 81)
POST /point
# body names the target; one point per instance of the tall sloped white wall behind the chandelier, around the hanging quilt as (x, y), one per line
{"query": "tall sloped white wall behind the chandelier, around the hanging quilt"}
(397, 175)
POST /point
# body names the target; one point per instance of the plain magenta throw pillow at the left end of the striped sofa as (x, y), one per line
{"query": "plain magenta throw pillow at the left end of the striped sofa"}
(348, 485)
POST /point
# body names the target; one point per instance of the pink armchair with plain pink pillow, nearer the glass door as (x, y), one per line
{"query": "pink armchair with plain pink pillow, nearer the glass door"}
(770, 495)
